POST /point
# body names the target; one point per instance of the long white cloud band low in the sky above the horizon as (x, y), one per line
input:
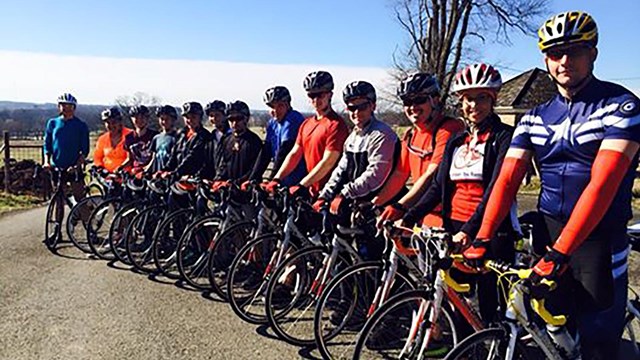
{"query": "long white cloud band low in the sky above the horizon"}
(38, 77)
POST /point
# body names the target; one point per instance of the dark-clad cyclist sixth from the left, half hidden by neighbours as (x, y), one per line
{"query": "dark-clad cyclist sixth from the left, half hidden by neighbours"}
(215, 111)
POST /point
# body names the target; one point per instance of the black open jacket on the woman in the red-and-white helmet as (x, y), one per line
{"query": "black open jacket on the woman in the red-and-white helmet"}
(441, 189)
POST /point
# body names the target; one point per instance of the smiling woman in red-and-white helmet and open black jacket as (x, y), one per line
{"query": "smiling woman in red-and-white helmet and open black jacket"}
(470, 165)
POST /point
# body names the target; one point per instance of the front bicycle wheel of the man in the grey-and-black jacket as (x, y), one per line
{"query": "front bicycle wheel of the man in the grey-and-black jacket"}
(293, 292)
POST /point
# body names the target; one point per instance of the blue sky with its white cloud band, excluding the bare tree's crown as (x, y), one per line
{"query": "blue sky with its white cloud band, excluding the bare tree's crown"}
(257, 43)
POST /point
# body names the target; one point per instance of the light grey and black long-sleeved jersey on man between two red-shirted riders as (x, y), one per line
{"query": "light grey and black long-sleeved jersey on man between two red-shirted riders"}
(370, 155)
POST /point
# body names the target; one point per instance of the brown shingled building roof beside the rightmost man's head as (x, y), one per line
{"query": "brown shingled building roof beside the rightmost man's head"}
(527, 90)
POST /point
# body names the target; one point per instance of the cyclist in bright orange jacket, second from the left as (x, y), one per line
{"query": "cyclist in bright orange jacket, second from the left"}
(109, 152)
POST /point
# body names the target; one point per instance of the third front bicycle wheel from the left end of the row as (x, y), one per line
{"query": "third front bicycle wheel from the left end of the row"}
(98, 228)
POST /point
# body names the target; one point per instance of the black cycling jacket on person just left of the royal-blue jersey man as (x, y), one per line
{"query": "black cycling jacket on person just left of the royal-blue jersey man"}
(238, 156)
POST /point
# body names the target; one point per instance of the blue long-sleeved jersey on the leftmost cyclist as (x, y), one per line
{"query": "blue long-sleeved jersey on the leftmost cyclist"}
(64, 140)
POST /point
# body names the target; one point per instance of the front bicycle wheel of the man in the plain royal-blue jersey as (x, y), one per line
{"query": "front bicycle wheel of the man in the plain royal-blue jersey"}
(225, 248)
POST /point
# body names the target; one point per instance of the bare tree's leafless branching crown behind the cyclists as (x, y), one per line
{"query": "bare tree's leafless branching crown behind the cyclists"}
(442, 32)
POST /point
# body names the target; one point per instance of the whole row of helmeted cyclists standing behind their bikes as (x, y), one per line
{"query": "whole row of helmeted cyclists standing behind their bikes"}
(465, 173)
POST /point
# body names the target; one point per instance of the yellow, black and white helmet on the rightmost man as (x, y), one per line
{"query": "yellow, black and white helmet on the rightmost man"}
(568, 28)
